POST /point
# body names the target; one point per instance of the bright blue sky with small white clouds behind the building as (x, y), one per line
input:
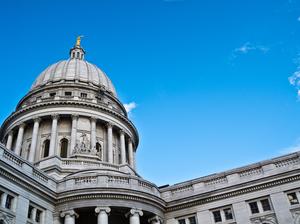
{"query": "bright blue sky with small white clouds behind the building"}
(210, 78)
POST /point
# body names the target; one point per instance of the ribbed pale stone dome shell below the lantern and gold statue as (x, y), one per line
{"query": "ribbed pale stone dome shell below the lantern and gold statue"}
(74, 70)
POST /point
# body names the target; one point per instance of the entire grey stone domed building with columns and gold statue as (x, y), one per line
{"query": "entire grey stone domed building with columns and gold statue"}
(68, 156)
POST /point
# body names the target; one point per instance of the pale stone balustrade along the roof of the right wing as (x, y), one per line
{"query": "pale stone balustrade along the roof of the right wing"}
(231, 177)
